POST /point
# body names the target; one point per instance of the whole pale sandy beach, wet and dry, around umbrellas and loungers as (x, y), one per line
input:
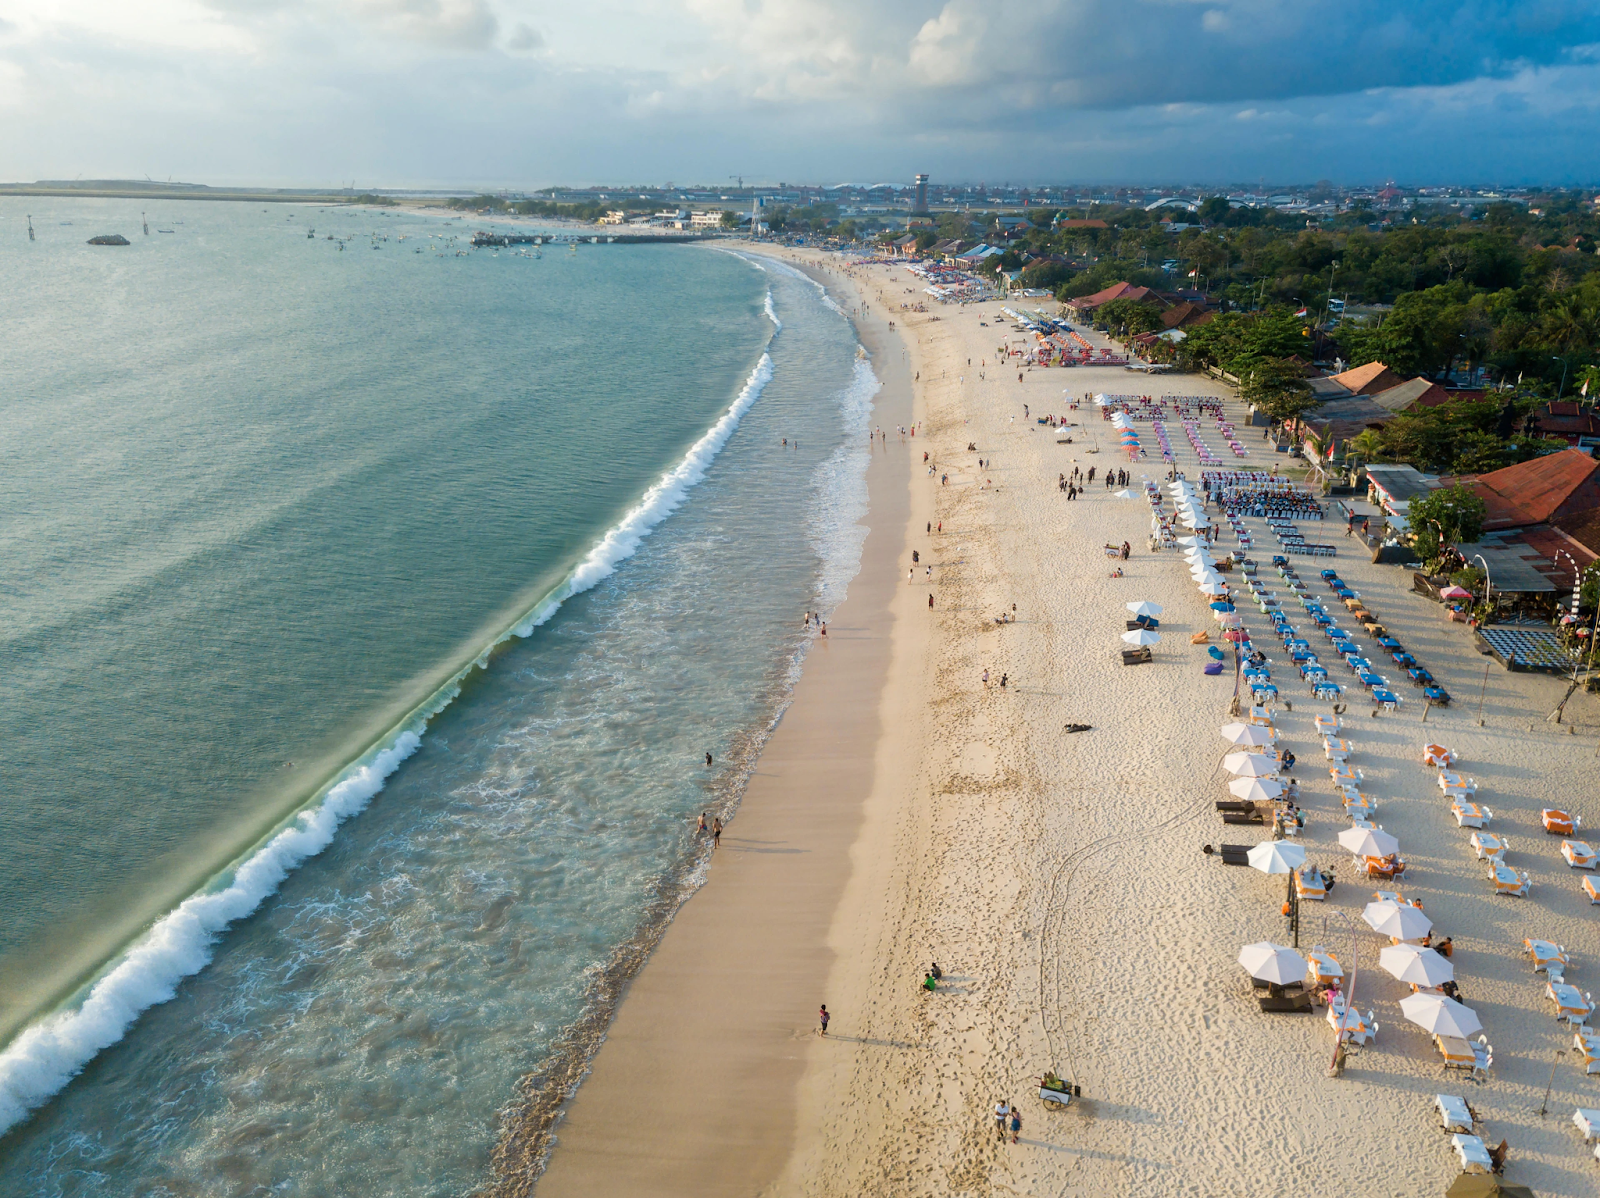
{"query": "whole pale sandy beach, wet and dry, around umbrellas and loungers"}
(1058, 879)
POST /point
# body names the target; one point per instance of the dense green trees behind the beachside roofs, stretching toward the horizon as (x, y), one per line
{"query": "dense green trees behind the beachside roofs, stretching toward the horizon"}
(1514, 290)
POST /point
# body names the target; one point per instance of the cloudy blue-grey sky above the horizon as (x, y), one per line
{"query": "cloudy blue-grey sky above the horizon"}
(518, 94)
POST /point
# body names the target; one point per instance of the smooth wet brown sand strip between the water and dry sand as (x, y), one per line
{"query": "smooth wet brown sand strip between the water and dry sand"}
(708, 1047)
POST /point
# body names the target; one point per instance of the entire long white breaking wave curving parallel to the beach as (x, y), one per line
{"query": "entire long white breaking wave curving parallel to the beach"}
(54, 1050)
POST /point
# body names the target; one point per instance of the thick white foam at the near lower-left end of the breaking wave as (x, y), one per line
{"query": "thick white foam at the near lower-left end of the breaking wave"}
(50, 1053)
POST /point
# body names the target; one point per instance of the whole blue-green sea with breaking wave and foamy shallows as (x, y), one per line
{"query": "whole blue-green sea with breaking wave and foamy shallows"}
(370, 605)
